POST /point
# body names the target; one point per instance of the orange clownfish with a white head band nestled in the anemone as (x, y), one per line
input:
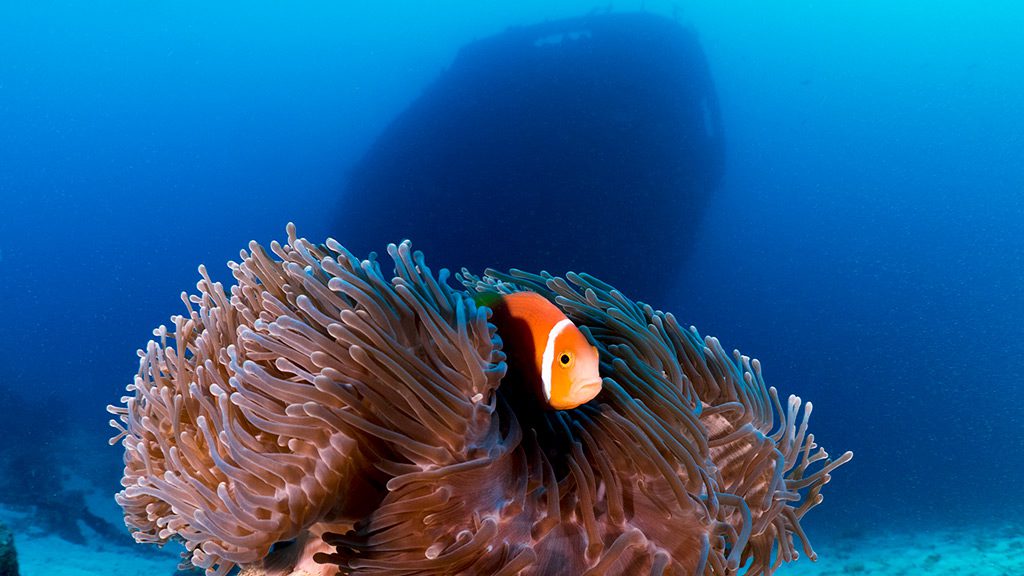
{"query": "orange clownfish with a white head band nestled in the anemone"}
(545, 348)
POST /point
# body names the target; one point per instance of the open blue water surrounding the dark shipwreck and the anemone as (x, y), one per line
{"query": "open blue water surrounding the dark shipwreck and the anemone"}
(866, 241)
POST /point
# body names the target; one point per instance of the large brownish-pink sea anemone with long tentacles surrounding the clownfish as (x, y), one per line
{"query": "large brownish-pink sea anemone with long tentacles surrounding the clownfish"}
(326, 412)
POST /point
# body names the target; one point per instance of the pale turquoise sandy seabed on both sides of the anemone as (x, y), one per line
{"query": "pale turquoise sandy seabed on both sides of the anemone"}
(993, 550)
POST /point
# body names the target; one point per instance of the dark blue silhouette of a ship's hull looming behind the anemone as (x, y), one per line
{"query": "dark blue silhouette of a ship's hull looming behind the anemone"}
(587, 145)
